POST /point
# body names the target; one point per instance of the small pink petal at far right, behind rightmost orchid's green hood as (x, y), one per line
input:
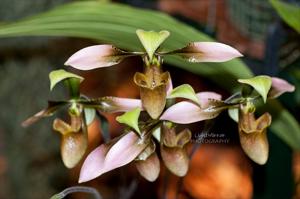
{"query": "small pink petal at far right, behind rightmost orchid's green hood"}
(280, 86)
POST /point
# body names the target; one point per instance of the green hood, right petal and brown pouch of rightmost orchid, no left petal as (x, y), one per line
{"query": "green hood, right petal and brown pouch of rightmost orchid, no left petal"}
(252, 132)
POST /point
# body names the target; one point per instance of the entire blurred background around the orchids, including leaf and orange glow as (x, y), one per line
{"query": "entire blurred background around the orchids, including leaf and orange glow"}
(30, 165)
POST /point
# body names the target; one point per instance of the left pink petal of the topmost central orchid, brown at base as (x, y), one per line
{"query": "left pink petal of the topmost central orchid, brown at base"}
(95, 57)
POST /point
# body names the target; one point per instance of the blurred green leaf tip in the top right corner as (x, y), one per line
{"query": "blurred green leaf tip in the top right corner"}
(288, 12)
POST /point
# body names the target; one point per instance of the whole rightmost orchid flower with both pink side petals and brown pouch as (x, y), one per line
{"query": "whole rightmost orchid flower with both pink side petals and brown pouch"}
(211, 105)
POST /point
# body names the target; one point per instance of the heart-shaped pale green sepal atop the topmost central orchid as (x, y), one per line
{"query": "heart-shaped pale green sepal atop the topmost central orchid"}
(151, 40)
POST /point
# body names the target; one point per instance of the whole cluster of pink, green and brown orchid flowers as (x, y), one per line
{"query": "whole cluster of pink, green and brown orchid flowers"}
(157, 129)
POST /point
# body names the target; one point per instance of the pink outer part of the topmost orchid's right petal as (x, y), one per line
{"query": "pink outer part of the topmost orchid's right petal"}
(213, 52)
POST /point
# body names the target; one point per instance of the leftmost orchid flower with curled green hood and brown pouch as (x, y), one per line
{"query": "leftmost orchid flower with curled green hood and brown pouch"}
(81, 111)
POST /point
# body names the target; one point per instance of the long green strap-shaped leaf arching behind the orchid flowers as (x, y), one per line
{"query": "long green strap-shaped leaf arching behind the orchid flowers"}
(117, 23)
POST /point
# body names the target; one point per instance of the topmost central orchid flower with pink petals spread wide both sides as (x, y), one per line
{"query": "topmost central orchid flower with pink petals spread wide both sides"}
(152, 82)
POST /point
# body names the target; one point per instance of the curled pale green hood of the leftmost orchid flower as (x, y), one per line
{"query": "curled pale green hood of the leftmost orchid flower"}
(60, 75)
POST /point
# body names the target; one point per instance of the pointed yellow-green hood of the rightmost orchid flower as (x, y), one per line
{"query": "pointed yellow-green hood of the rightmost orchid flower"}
(261, 84)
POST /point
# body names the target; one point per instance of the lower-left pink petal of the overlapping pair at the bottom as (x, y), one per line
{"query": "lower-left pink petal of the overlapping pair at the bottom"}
(93, 165)
